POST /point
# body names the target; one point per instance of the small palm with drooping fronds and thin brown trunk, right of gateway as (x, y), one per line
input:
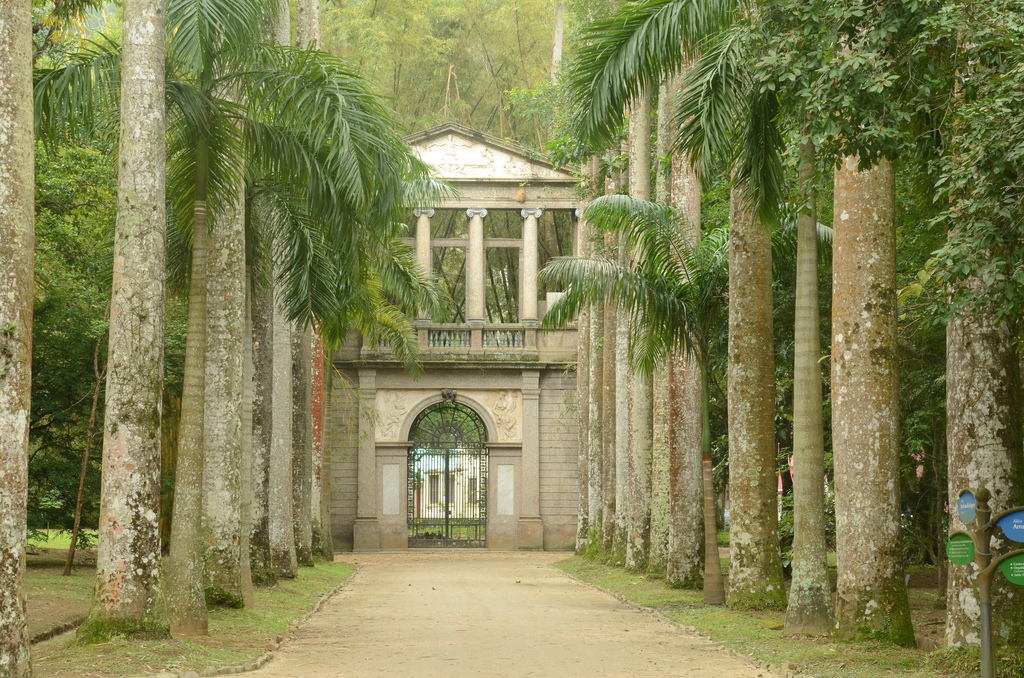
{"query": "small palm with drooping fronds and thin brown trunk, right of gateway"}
(680, 287)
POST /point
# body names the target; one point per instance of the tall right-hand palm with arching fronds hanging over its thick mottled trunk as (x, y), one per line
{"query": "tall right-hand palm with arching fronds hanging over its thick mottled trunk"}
(721, 114)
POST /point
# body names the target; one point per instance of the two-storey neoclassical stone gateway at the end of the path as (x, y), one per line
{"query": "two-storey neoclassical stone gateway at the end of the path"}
(481, 450)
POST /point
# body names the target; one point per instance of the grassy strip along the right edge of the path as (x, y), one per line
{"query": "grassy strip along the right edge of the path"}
(760, 634)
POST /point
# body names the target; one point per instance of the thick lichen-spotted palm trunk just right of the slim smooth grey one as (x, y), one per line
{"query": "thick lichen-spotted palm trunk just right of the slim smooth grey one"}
(872, 598)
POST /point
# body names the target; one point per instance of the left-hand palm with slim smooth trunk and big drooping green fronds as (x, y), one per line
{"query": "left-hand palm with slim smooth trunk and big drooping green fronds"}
(333, 169)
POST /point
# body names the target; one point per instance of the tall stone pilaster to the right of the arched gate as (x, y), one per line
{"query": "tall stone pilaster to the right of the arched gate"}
(531, 533)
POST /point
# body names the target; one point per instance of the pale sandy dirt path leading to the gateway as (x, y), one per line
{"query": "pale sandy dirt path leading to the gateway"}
(480, 614)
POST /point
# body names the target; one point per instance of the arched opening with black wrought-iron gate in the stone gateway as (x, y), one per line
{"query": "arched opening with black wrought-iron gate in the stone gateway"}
(448, 479)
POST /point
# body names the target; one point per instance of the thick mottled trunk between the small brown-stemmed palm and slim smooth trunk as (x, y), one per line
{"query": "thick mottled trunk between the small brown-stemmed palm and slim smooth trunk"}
(755, 563)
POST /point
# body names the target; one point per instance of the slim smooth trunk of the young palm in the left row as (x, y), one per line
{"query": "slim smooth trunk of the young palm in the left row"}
(187, 601)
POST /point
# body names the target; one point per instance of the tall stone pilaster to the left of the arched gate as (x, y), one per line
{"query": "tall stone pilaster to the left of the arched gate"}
(366, 535)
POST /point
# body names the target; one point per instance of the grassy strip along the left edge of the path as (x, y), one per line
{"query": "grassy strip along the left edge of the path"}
(237, 637)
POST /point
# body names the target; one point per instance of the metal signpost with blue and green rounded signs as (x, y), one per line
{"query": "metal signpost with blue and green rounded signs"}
(967, 546)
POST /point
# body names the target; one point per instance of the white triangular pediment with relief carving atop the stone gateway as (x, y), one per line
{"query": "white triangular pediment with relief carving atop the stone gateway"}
(462, 154)
